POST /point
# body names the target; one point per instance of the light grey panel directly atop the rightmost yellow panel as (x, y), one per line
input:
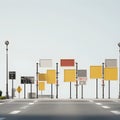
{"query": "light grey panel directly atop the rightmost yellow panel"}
(111, 63)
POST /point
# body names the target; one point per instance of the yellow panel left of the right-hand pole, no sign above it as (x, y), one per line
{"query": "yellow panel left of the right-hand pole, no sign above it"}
(95, 72)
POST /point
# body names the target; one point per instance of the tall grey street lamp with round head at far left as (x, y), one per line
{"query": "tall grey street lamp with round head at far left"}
(7, 43)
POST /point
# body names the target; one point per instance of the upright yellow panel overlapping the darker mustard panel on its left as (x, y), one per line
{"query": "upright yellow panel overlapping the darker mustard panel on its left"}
(51, 76)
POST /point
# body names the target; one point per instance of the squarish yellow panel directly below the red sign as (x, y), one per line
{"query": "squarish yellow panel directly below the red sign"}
(69, 75)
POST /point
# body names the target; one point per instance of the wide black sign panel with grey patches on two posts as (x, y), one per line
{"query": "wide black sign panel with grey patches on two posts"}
(27, 80)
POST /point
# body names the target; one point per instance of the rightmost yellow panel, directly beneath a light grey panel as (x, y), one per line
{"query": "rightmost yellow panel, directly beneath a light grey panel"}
(110, 74)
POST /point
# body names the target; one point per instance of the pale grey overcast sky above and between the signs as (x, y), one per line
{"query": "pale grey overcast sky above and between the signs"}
(87, 30)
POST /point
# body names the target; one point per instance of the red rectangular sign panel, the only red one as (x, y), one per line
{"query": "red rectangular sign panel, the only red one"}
(67, 62)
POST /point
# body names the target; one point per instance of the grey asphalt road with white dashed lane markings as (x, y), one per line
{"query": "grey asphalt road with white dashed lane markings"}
(36, 109)
